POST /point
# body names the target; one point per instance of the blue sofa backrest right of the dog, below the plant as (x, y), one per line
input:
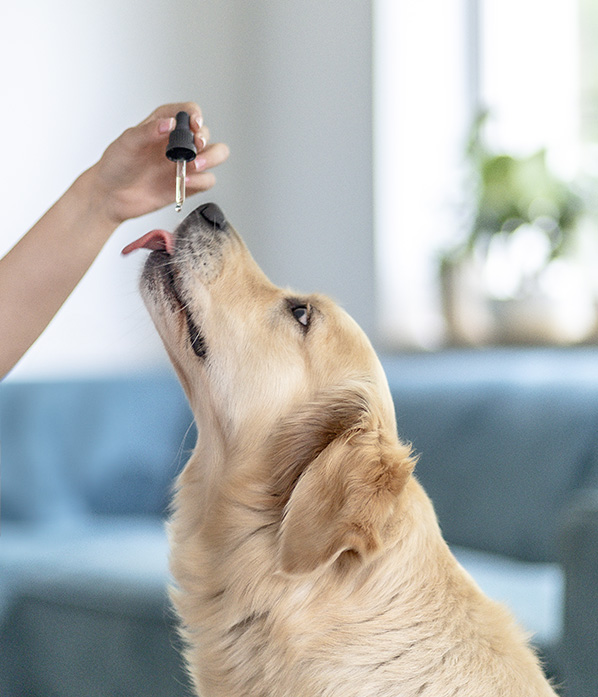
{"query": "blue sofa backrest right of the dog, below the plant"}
(504, 438)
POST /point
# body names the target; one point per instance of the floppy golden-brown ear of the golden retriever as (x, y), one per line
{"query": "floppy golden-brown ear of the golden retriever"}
(343, 483)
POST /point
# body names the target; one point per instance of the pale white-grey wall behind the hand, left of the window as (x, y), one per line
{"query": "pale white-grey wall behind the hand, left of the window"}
(286, 84)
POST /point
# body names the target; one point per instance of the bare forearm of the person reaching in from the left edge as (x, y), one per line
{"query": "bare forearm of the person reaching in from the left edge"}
(43, 268)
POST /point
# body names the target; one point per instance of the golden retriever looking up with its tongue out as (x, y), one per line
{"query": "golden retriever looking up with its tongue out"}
(307, 559)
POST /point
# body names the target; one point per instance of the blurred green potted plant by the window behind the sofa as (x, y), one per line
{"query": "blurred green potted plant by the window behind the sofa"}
(513, 277)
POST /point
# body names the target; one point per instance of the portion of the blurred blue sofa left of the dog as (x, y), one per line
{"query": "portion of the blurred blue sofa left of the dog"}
(87, 468)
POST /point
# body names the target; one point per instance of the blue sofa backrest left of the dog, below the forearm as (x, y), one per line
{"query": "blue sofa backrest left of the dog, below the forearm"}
(91, 446)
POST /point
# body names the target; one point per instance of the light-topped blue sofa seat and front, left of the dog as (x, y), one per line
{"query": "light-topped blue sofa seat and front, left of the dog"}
(87, 605)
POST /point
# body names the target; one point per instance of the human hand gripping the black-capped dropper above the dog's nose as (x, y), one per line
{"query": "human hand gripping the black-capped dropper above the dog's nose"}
(134, 176)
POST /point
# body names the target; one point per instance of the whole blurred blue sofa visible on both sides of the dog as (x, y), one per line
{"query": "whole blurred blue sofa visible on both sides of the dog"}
(508, 443)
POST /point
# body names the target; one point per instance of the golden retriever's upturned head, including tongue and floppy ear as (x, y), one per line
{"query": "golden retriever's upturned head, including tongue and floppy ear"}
(284, 378)
